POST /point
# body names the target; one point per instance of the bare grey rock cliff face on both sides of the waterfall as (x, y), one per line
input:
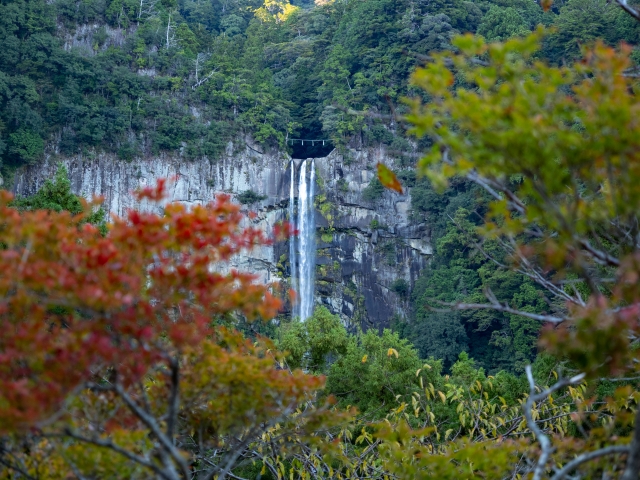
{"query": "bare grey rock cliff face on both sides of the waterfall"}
(365, 249)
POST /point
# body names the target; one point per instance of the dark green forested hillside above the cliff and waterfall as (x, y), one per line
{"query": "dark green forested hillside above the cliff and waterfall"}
(136, 77)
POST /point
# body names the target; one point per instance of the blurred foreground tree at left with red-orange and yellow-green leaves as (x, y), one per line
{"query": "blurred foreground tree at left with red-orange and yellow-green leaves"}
(114, 361)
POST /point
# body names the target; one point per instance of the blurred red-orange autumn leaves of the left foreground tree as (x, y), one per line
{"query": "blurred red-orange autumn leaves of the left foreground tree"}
(73, 302)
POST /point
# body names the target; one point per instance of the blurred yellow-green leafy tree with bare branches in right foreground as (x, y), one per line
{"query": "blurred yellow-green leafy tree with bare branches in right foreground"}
(556, 150)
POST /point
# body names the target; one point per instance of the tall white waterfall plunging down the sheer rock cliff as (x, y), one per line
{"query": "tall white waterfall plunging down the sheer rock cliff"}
(302, 251)
